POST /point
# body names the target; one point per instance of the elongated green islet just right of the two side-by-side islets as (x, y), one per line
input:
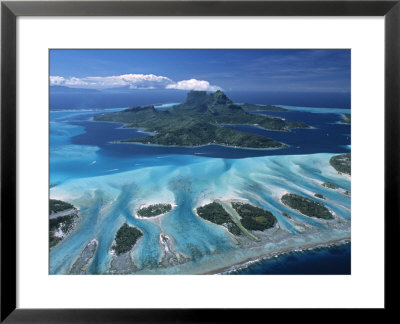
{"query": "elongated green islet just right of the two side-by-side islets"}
(306, 206)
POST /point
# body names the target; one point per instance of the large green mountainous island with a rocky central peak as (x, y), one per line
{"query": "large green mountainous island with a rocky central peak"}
(199, 120)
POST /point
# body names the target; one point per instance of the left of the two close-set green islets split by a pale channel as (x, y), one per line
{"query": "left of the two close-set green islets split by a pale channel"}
(216, 214)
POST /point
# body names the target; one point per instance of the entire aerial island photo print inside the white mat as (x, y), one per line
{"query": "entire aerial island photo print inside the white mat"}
(194, 179)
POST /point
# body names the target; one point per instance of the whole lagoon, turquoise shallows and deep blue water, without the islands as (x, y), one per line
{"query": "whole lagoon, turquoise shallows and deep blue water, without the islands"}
(108, 182)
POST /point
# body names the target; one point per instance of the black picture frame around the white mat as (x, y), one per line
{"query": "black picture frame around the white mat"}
(10, 10)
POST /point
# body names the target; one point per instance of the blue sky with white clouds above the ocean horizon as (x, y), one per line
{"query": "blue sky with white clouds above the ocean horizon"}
(229, 70)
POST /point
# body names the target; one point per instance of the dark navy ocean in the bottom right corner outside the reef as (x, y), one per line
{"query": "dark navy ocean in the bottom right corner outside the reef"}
(326, 261)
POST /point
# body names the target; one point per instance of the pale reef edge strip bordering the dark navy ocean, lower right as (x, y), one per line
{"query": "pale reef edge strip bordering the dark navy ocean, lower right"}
(274, 254)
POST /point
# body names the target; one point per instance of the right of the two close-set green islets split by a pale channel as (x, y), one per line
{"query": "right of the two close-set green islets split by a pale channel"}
(254, 218)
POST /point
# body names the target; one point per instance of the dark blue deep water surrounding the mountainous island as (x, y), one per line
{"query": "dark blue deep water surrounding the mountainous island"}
(327, 136)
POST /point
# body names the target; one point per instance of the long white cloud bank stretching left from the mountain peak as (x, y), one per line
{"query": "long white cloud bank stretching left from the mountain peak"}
(133, 81)
